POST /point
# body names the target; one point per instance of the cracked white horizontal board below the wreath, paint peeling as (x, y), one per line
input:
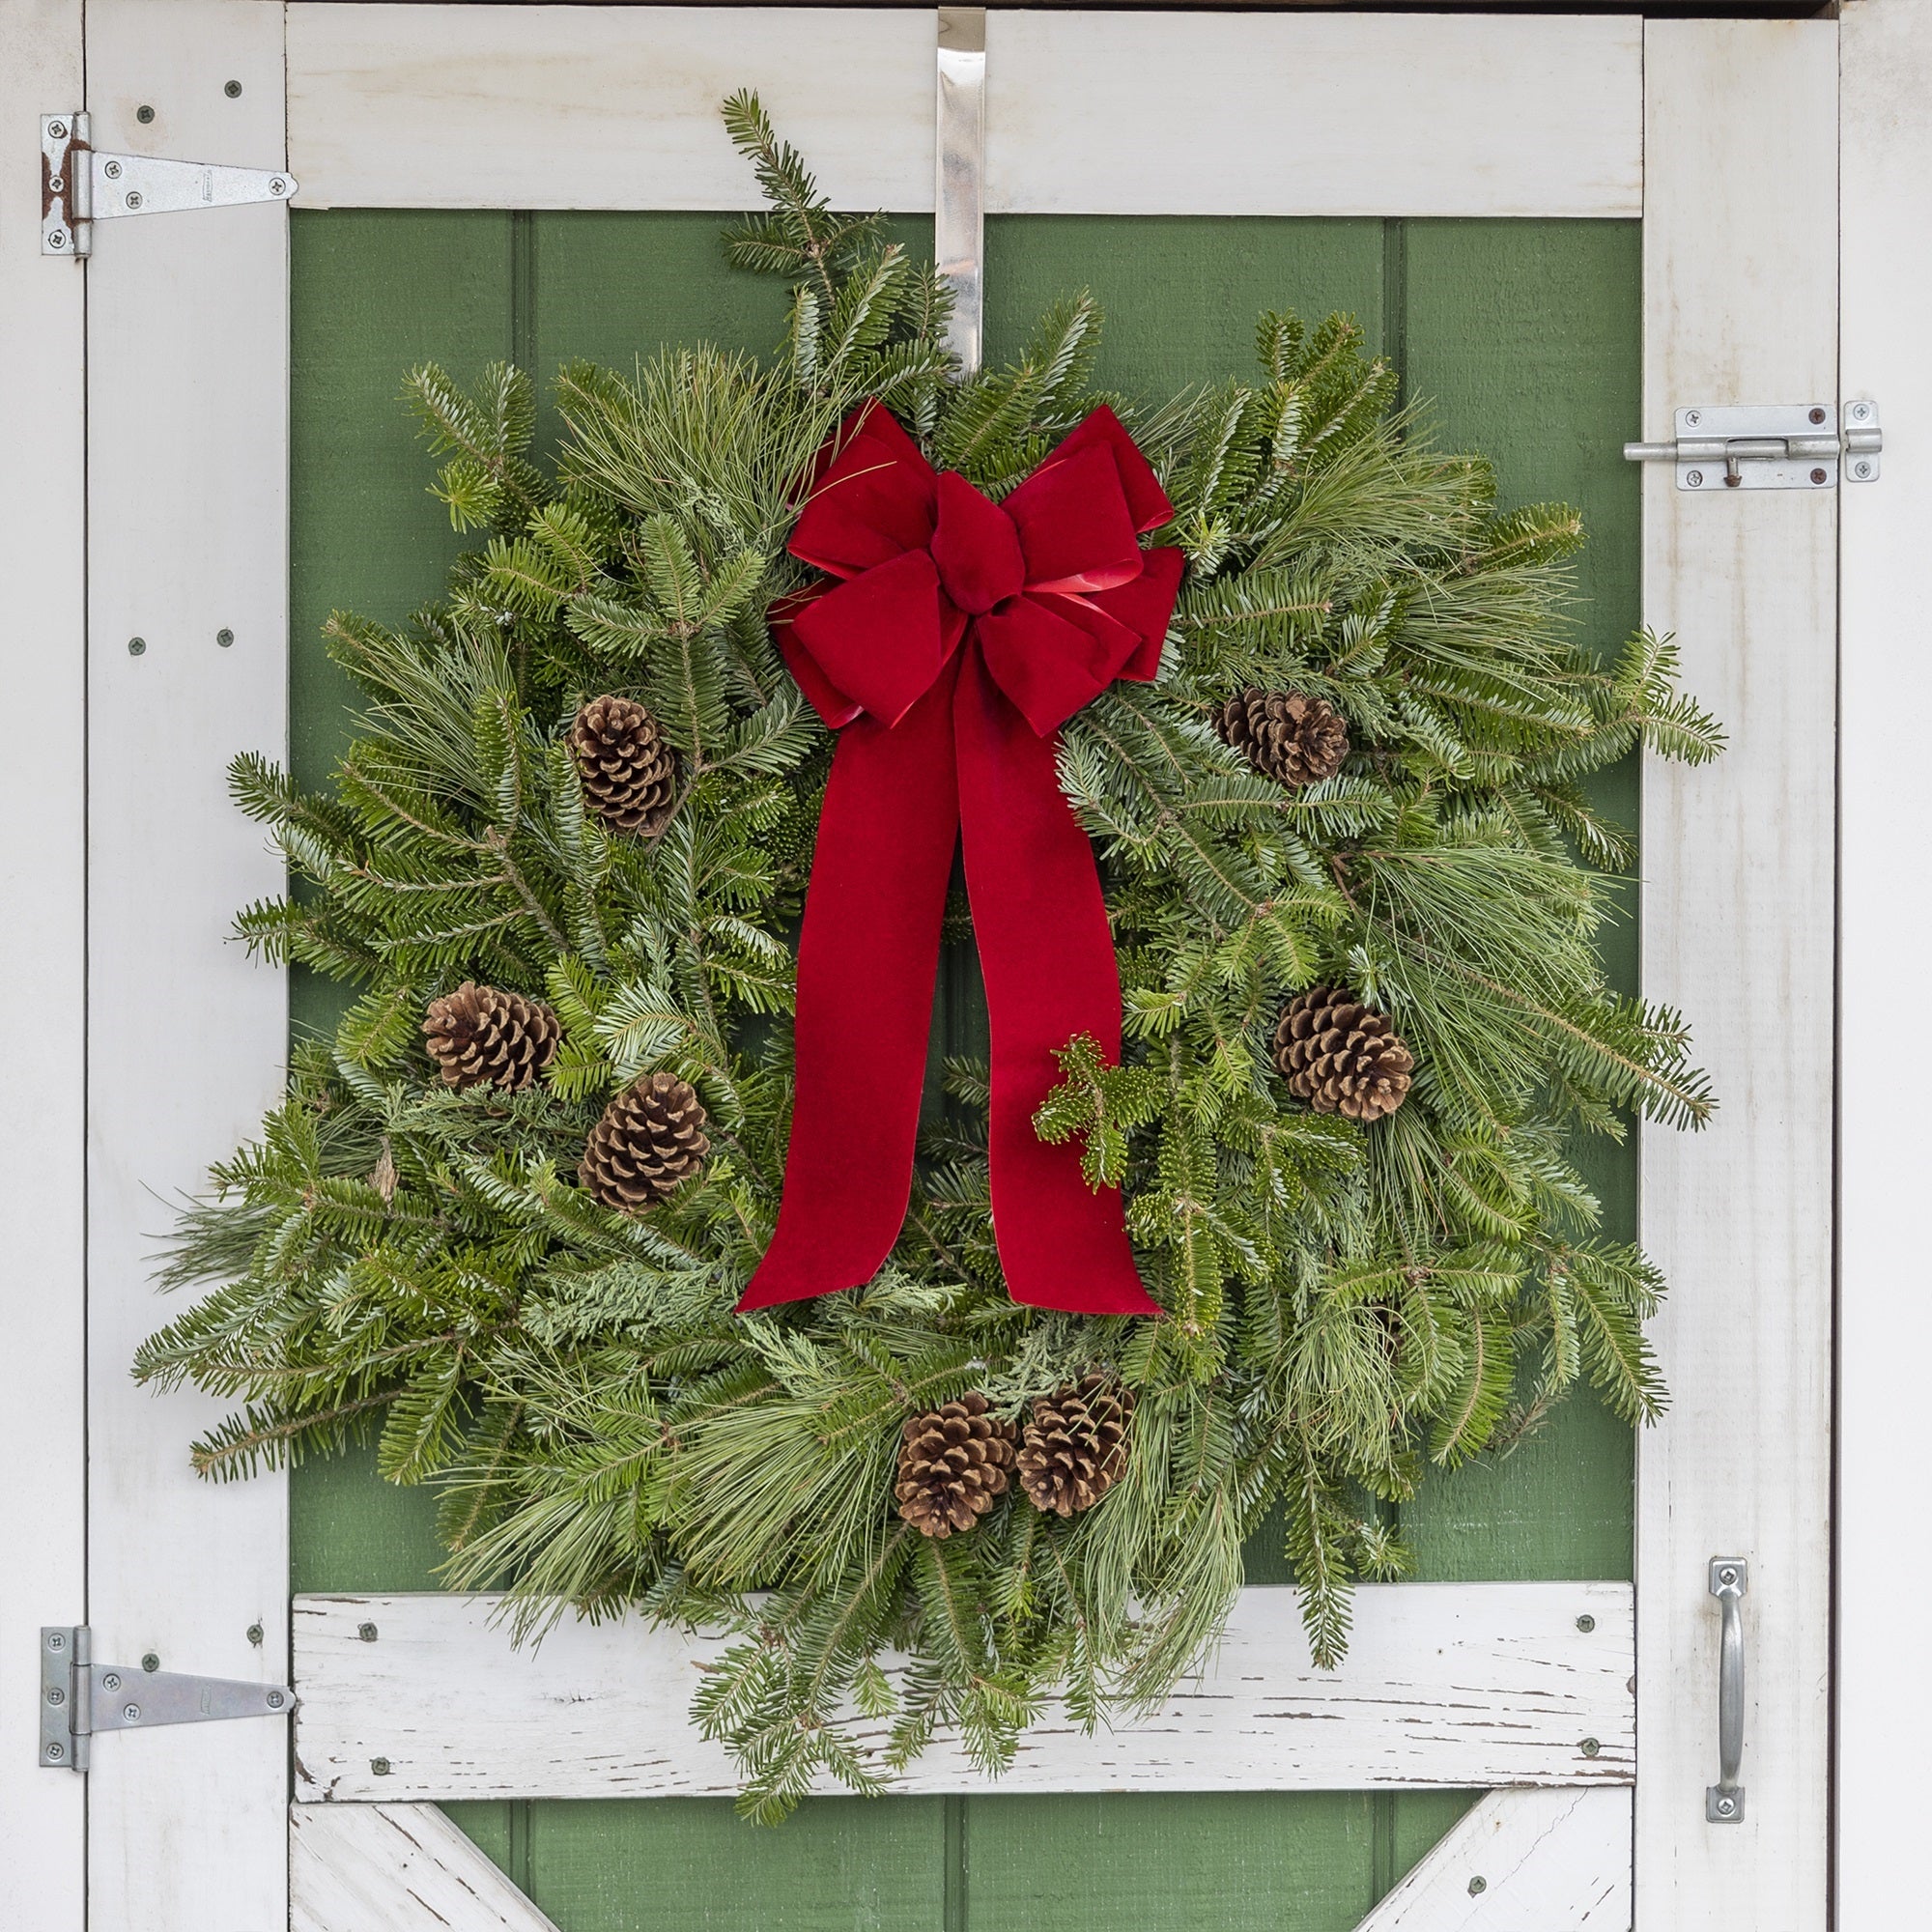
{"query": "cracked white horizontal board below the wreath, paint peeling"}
(1444, 1686)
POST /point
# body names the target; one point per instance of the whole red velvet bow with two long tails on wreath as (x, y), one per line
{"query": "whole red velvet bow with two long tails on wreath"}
(955, 640)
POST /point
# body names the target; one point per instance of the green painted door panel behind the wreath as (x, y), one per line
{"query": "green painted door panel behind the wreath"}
(1525, 339)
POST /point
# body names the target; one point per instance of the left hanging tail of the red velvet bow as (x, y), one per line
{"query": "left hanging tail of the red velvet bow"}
(867, 967)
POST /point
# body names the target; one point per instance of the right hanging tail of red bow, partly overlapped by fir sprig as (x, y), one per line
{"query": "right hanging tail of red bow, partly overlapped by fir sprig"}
(1050, 973)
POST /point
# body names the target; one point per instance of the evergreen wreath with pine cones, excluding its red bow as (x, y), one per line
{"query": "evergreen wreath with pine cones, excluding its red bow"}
(501, 1218)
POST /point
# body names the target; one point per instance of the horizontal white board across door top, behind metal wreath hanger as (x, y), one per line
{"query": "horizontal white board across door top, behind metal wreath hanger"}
(588, 107)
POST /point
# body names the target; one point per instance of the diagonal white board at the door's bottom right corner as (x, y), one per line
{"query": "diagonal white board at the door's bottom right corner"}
(1521, 1861)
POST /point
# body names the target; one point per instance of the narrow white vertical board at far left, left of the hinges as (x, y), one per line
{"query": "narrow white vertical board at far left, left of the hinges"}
(43, 963)
